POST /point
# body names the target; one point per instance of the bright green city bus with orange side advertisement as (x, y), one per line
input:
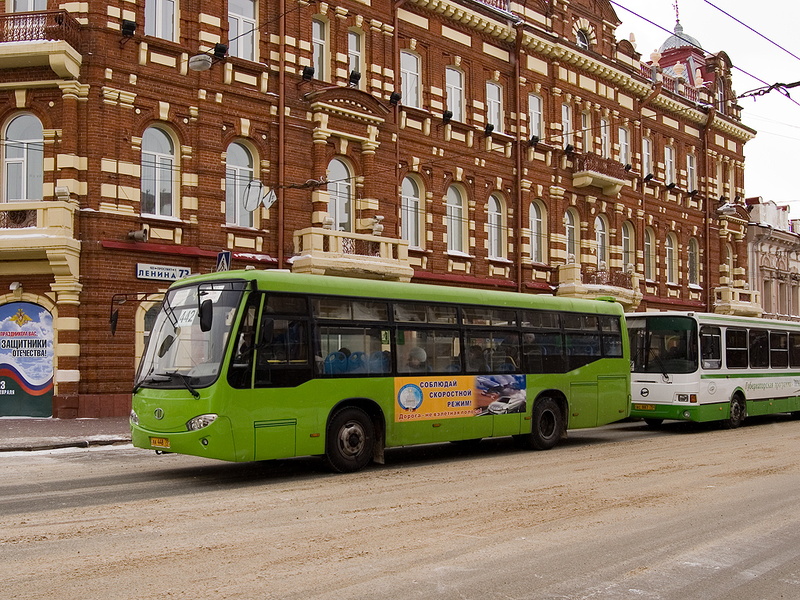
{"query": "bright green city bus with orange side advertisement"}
(256, 365)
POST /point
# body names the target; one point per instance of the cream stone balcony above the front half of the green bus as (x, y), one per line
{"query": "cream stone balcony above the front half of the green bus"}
(326, 252)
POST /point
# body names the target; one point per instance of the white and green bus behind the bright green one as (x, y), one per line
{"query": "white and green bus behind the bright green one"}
(708, 367)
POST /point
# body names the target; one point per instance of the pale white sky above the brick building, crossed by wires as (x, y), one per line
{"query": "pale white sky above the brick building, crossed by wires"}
(772, 159)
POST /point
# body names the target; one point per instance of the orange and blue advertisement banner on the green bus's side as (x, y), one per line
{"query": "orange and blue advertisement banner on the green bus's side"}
(427, 398)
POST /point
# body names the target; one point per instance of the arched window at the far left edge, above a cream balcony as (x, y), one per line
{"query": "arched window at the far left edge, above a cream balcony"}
(23, 159)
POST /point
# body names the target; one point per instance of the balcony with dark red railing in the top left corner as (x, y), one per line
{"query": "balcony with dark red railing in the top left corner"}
(49, 38)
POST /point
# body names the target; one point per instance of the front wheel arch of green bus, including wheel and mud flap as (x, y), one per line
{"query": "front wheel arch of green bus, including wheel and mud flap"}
(354, 435)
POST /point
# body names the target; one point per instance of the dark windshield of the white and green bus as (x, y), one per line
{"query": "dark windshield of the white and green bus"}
(663, 344)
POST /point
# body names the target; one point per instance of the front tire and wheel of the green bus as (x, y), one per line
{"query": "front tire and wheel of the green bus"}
(350, 440)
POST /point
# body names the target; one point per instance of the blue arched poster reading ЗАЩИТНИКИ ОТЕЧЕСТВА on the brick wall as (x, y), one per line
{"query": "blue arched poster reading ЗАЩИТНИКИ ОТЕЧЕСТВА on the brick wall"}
(26, 360)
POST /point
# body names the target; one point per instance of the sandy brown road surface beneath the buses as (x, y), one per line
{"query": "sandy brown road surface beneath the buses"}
(618, 512)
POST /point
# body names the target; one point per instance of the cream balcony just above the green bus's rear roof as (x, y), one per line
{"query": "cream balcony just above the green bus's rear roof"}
(584, 281)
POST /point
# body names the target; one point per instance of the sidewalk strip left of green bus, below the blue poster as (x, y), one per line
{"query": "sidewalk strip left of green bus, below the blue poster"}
(22, 433)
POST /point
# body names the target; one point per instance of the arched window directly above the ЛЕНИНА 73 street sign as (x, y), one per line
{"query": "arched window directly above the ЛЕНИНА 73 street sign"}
(158, 173)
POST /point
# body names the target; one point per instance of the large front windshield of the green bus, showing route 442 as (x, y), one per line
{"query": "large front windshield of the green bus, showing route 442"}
(188, 339)
